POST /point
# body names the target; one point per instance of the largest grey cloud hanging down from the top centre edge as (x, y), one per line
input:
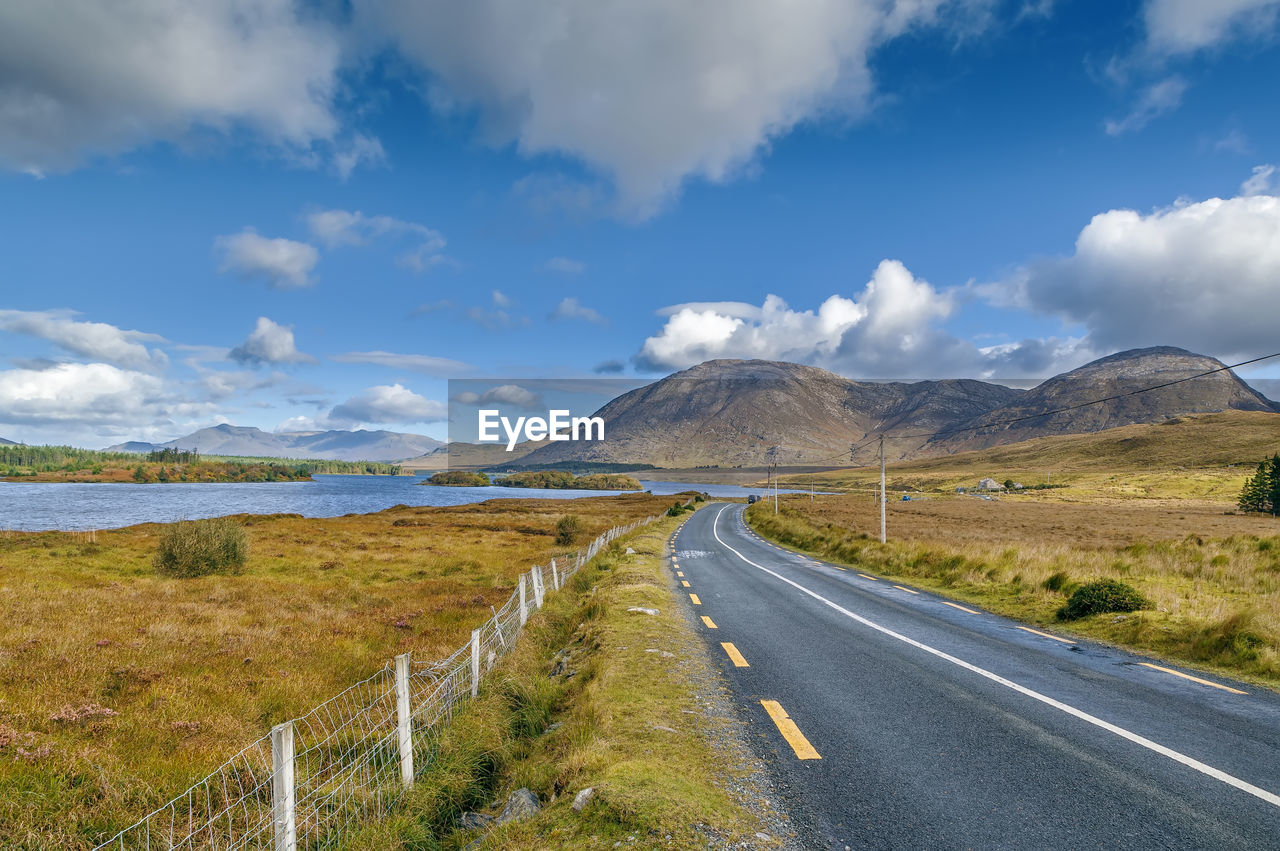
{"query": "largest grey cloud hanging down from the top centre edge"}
(651, 93)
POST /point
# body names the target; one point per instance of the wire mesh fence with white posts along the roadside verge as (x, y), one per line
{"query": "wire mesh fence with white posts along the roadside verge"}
(307, 783)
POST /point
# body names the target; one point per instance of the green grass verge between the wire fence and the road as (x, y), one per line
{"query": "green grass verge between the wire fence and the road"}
(629, 726)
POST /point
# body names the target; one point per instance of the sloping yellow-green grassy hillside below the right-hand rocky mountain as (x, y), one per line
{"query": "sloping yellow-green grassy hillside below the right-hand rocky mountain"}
(1205, 456)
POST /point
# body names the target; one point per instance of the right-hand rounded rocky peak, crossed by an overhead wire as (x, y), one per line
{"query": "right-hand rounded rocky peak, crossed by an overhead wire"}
(1116, 376)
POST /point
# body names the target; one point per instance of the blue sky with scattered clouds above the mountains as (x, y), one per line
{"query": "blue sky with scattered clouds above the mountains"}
(303, 217)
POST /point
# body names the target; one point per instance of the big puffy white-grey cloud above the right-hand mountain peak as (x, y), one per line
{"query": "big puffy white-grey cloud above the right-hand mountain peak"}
(1201, 276)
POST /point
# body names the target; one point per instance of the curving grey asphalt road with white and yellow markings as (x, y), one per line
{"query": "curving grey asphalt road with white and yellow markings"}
(895, 720)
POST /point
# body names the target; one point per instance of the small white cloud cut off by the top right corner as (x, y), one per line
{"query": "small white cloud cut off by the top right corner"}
(1186, 26)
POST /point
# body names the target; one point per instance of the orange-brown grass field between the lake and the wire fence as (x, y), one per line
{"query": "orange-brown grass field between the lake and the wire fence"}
(120, 688)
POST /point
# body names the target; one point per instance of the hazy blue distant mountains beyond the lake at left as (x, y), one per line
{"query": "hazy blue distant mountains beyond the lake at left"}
(330, 446)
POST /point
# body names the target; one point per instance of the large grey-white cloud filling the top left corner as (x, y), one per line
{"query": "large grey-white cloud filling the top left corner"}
(85, 77)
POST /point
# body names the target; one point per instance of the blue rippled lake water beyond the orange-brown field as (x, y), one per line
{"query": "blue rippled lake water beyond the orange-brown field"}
(30, 507)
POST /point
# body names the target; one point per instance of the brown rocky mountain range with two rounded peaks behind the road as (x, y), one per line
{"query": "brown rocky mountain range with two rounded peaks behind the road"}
(732, 413)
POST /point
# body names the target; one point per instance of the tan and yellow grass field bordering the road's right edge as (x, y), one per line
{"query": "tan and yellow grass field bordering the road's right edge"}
(1213, 575)
